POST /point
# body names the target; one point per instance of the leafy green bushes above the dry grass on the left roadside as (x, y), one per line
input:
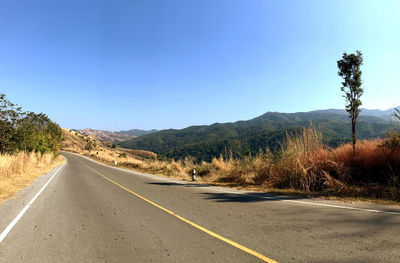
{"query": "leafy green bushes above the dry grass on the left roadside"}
(26, 131)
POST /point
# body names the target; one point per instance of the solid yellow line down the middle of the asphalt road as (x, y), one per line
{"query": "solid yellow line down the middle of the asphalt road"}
(224, 239)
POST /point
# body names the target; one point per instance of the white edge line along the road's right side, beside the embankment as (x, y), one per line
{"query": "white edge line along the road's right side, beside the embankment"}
(240, 192)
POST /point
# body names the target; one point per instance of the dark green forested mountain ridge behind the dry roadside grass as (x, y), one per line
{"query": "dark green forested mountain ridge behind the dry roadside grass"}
(268, 130)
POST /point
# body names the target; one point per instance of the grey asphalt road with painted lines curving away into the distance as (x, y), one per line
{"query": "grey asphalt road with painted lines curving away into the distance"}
(90, 212)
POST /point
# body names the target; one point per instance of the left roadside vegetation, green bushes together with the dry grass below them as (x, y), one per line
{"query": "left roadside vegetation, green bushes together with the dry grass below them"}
(29, 144)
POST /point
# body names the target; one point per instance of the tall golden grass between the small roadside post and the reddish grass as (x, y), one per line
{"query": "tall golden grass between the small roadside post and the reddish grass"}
(303, 164)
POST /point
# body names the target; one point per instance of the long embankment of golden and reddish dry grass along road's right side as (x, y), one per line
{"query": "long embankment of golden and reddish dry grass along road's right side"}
(304, 165)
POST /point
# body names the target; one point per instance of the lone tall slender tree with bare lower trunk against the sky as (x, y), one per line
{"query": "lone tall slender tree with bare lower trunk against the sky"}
(349, 70)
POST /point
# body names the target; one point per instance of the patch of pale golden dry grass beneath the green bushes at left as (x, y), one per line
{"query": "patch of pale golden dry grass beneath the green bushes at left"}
(20, 170)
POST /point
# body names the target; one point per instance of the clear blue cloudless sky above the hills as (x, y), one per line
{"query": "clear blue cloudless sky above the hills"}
(146, 64)
